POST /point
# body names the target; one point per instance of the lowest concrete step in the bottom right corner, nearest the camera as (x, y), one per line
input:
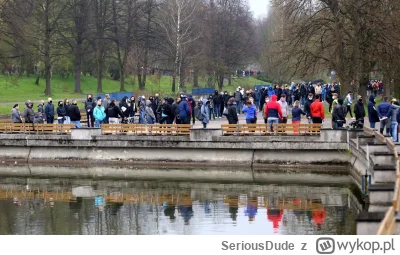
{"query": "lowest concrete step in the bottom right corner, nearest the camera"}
(368, 223)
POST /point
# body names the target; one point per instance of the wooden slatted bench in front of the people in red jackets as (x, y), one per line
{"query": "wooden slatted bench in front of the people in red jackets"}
(265, 129)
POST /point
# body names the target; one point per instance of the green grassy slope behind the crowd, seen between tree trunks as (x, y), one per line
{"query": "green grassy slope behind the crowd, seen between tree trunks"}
(14, 89)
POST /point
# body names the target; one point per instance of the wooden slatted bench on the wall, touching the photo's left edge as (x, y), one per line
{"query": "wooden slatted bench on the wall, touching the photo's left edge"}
(29, 128)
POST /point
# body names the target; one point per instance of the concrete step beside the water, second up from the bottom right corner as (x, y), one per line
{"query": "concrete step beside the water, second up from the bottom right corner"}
(381, 194)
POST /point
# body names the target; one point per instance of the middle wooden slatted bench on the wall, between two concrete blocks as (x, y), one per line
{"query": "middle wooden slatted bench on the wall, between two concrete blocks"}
(140, 129)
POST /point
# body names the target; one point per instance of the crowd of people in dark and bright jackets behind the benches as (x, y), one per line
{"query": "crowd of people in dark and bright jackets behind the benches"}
(276, 103)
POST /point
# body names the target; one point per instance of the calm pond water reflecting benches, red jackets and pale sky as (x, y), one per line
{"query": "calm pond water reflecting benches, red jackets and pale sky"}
(93, 207)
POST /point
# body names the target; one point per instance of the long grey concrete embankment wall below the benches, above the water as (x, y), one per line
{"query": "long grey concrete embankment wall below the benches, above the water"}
(199, 149)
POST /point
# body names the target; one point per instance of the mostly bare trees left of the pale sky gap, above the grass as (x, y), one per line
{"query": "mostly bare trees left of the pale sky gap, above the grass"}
(124, 38)
